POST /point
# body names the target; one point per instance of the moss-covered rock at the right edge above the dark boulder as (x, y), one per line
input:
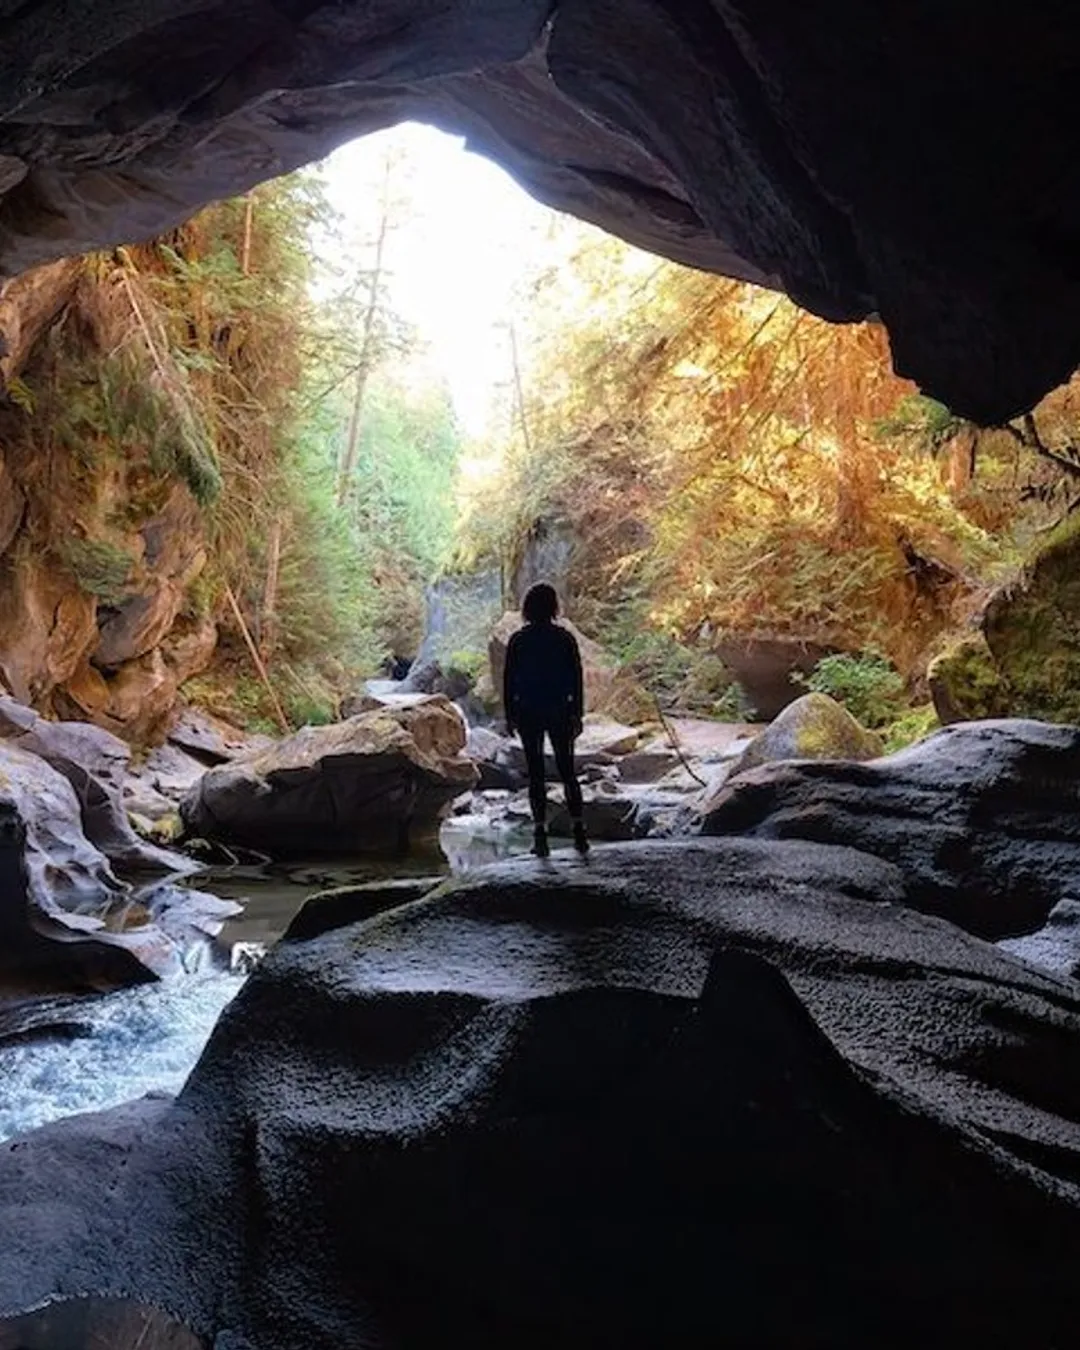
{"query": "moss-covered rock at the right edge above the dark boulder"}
(1027, 661)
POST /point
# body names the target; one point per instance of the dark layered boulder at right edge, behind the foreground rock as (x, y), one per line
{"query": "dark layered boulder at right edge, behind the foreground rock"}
(982, 819)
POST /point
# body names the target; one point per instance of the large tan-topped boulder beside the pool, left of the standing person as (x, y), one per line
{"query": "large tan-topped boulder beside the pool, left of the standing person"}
(367, 785)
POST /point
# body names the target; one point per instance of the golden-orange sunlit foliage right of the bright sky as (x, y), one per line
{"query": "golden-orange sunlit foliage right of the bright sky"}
(732, 464)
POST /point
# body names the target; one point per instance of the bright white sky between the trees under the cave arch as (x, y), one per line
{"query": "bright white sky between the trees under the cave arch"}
(466, 236)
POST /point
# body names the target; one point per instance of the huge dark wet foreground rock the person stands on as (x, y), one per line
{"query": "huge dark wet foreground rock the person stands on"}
(722, 1089)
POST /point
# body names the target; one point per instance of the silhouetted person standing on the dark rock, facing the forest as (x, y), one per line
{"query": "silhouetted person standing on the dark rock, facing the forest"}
(543, 695)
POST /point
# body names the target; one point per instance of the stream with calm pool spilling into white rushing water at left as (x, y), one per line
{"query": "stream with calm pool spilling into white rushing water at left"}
(148, 1039)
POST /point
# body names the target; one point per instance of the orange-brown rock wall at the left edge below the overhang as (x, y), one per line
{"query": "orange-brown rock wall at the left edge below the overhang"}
(101, 549)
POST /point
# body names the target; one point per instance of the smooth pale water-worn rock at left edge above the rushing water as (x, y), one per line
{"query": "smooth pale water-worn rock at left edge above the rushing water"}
(67, 920)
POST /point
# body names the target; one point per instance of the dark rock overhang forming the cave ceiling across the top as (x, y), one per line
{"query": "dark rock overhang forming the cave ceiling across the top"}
(869, 160)
